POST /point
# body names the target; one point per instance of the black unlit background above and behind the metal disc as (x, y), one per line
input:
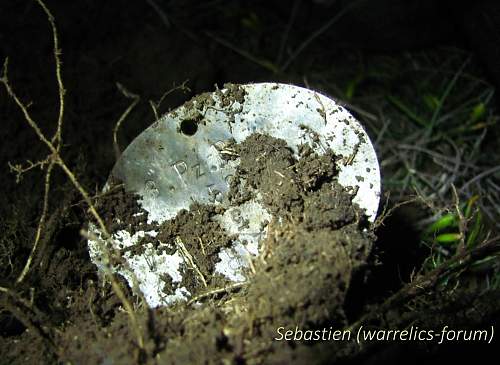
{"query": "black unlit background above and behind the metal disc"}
(105, 42)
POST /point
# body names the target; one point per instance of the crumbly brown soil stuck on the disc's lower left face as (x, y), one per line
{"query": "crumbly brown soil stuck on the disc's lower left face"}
(200, 234)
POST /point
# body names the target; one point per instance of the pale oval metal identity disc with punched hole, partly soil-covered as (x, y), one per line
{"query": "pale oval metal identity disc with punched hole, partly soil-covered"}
(177, 161)
